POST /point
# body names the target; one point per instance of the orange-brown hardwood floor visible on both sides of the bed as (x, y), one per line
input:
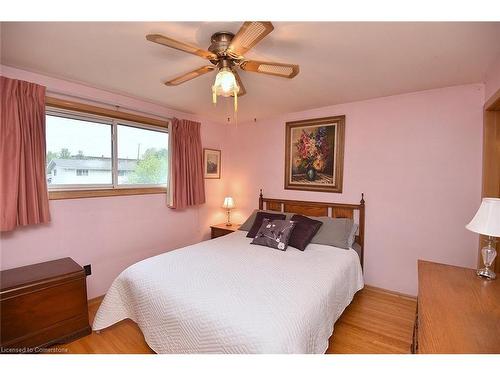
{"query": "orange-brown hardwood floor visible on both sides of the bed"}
(376, 321)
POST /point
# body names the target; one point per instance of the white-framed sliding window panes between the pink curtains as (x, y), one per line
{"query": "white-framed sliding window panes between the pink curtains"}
(87, 152)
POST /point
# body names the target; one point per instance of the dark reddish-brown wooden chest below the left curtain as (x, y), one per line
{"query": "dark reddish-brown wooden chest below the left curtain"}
(42, 304)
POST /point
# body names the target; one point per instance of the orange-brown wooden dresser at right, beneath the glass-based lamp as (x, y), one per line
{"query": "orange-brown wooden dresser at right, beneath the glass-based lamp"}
(457, 312)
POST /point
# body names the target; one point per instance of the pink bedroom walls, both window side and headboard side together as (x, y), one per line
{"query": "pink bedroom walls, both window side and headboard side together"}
(417, 158)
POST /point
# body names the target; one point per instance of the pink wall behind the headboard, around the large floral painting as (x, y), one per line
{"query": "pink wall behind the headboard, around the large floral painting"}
(417, 158)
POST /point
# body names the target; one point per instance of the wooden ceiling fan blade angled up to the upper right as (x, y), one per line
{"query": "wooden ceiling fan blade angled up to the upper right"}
(248, 36)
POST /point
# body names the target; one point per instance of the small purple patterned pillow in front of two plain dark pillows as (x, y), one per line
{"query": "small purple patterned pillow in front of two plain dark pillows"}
(274, 234)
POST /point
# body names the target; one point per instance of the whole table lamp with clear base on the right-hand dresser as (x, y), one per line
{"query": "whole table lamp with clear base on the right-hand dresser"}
(487, 222)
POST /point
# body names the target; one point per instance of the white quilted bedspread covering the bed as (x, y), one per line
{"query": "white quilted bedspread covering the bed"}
(227, 296)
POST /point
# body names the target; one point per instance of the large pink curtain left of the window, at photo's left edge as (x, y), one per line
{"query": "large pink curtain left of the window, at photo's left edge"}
(23, 188)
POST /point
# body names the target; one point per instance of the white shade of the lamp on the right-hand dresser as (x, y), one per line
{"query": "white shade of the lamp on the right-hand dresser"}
(487, 218)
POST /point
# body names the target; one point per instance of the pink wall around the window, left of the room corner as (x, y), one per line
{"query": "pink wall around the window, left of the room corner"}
(115, 232)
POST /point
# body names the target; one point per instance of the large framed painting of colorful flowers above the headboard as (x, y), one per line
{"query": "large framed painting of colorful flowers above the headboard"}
(314, 154)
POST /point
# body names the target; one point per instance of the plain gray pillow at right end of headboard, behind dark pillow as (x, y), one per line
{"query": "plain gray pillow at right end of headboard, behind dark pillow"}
(338, 232)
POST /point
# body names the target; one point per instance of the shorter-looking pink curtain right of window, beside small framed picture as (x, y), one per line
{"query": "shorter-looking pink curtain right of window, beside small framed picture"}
(186, 177)
